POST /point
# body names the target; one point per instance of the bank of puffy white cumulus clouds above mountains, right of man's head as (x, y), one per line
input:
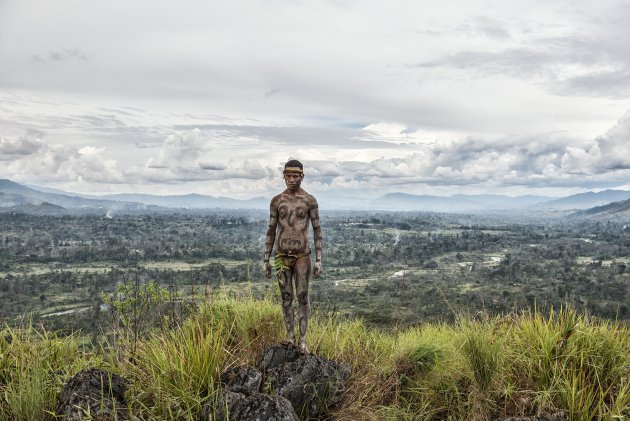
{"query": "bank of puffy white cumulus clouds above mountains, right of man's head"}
(545, 159)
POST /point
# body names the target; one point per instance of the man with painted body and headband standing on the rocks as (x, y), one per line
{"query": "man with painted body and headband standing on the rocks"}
(290, 214)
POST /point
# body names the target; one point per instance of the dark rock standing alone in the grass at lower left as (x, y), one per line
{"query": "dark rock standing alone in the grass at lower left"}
(95, 392)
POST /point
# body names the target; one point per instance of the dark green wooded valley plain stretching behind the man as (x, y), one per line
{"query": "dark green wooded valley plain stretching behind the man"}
(390, 269)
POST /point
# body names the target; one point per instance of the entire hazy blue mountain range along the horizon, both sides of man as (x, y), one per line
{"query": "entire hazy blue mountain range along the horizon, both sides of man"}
(34, 199)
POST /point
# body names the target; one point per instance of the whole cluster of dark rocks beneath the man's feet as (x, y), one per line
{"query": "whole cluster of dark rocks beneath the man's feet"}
(294, 386)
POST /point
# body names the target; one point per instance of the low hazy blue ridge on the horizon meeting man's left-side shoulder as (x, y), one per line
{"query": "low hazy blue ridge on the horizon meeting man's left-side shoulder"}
(191, 201)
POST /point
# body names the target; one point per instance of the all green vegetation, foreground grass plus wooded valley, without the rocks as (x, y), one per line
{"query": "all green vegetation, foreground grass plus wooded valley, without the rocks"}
(440, 316)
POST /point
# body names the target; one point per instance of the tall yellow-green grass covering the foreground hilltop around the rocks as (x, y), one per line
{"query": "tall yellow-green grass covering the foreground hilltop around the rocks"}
(478, 368)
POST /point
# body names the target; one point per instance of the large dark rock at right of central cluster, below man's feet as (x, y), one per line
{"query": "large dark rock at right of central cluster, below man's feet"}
(312, 384)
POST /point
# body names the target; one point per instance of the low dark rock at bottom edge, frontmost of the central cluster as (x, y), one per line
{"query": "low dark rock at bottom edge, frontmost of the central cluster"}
(233, 406)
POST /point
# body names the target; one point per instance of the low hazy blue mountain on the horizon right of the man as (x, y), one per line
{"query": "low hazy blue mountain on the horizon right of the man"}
(455, 203)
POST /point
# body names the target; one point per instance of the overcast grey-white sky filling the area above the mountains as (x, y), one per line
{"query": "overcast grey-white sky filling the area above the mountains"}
(213, 96)
